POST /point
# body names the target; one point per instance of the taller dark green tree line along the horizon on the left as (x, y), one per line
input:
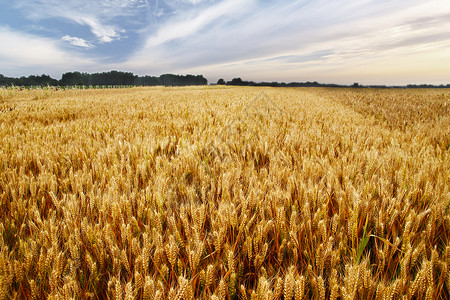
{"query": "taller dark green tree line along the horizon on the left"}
(104, 78)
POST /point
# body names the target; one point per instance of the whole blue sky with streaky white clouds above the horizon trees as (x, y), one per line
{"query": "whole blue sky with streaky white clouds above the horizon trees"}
(339, 41)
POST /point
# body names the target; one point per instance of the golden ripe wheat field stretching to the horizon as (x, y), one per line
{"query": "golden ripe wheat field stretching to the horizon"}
(225, 193)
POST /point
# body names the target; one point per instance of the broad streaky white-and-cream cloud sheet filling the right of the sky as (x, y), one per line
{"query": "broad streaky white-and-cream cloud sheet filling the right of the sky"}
(290, 40)
